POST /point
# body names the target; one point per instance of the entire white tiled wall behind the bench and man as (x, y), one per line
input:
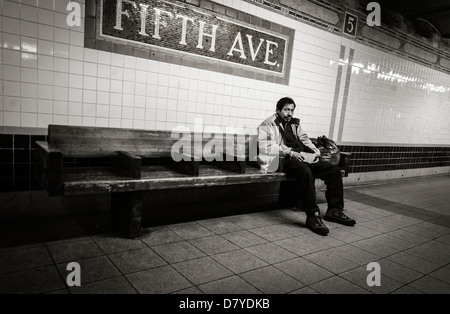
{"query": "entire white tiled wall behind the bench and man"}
(49, 77)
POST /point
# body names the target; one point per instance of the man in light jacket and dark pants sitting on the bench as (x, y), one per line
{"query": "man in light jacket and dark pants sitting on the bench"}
(282, 135)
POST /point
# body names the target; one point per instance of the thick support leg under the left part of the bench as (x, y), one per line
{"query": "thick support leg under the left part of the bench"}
(126, 212)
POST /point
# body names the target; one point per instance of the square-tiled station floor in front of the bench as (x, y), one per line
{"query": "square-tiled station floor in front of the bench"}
(403, 226)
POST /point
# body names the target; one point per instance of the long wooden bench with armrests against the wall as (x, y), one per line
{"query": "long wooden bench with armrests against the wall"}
(131, 161)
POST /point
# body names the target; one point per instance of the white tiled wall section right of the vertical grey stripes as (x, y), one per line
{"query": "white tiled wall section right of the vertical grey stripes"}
(393, 100)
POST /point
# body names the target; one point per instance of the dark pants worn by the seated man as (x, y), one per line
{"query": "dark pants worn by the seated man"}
(305, 185)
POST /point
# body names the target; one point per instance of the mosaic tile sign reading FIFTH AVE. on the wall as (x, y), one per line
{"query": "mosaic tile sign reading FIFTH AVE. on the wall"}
(182, 29)
